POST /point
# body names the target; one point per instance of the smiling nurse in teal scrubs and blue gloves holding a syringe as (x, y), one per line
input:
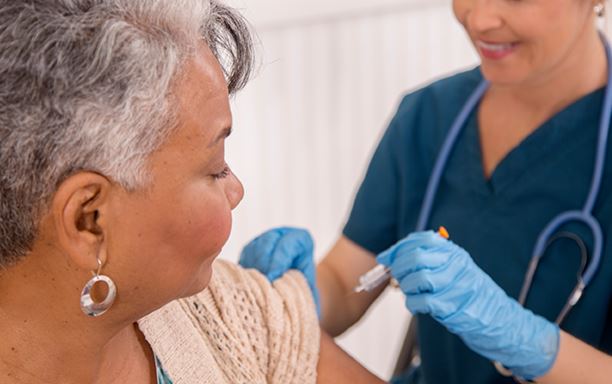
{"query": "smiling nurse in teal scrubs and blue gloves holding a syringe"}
(524, 155)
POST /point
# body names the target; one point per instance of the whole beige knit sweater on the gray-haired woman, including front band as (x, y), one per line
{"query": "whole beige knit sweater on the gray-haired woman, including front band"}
(240, 329)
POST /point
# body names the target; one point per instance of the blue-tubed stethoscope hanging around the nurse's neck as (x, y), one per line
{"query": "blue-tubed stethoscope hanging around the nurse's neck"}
(547, 236)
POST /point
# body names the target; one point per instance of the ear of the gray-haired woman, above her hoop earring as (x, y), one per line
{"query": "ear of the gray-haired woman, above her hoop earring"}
(79, 209)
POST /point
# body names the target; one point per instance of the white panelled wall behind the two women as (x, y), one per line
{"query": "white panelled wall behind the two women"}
(330, 75)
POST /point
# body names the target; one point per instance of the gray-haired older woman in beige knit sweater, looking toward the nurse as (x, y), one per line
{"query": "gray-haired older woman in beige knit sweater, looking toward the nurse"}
(114, 190)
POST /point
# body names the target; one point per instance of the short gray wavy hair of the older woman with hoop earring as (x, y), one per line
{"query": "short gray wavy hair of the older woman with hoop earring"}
(86, 85)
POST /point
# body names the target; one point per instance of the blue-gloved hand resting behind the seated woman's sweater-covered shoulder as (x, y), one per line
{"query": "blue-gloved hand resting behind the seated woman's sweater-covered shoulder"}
(280, 249)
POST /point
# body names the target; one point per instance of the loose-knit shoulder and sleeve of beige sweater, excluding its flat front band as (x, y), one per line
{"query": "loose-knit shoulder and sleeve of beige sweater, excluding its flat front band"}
(258, 332)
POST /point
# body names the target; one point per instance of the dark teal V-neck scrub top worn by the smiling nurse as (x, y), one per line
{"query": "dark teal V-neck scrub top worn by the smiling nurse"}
(497, 220)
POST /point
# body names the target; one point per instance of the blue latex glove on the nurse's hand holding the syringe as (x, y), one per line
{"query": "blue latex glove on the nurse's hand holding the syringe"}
(441, 279)
